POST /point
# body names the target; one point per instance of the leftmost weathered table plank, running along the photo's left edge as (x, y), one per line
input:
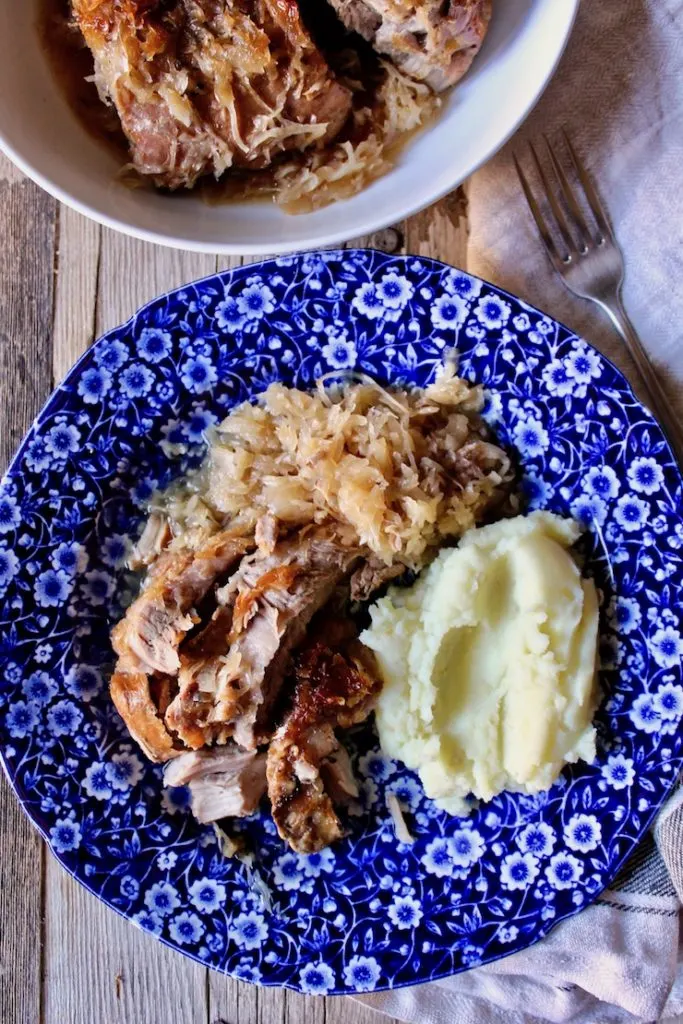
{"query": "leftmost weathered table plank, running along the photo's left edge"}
(27, 254)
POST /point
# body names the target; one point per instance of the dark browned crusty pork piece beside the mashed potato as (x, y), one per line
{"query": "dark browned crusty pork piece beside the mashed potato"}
(307, 765)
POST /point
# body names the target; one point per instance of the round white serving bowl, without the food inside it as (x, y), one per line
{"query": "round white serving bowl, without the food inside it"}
(39, 133)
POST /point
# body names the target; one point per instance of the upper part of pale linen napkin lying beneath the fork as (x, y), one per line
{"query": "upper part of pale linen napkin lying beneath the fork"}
(619, 94)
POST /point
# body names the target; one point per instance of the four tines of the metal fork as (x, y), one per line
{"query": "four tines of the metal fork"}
(569, 222)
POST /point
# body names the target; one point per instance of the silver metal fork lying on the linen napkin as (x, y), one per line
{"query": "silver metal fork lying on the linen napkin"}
(591, 265)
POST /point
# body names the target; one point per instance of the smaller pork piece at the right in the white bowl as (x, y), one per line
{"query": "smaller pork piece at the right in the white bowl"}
(433, 41)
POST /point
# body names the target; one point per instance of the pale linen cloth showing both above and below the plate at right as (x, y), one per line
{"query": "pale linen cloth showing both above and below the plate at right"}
(619, 93)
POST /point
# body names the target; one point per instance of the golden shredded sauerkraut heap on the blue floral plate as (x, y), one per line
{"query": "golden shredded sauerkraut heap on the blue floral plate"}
(397, 473)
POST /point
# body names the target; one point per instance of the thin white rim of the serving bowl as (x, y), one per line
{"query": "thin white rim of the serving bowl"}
(404, 209)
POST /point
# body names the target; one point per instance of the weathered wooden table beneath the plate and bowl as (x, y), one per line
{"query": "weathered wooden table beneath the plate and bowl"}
(66, 959)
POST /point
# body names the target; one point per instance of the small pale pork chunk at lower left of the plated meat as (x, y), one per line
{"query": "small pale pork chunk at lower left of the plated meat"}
(224, 782)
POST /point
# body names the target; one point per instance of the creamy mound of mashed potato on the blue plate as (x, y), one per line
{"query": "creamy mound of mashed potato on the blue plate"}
(489, 663)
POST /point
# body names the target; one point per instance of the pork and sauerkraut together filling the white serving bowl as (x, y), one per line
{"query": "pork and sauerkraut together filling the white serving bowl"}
(241, 93)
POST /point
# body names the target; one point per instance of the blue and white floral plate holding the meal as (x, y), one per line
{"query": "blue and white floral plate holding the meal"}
(370, 913)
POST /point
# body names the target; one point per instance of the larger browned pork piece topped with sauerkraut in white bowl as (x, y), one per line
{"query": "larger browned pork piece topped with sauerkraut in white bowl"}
(204, 86)
